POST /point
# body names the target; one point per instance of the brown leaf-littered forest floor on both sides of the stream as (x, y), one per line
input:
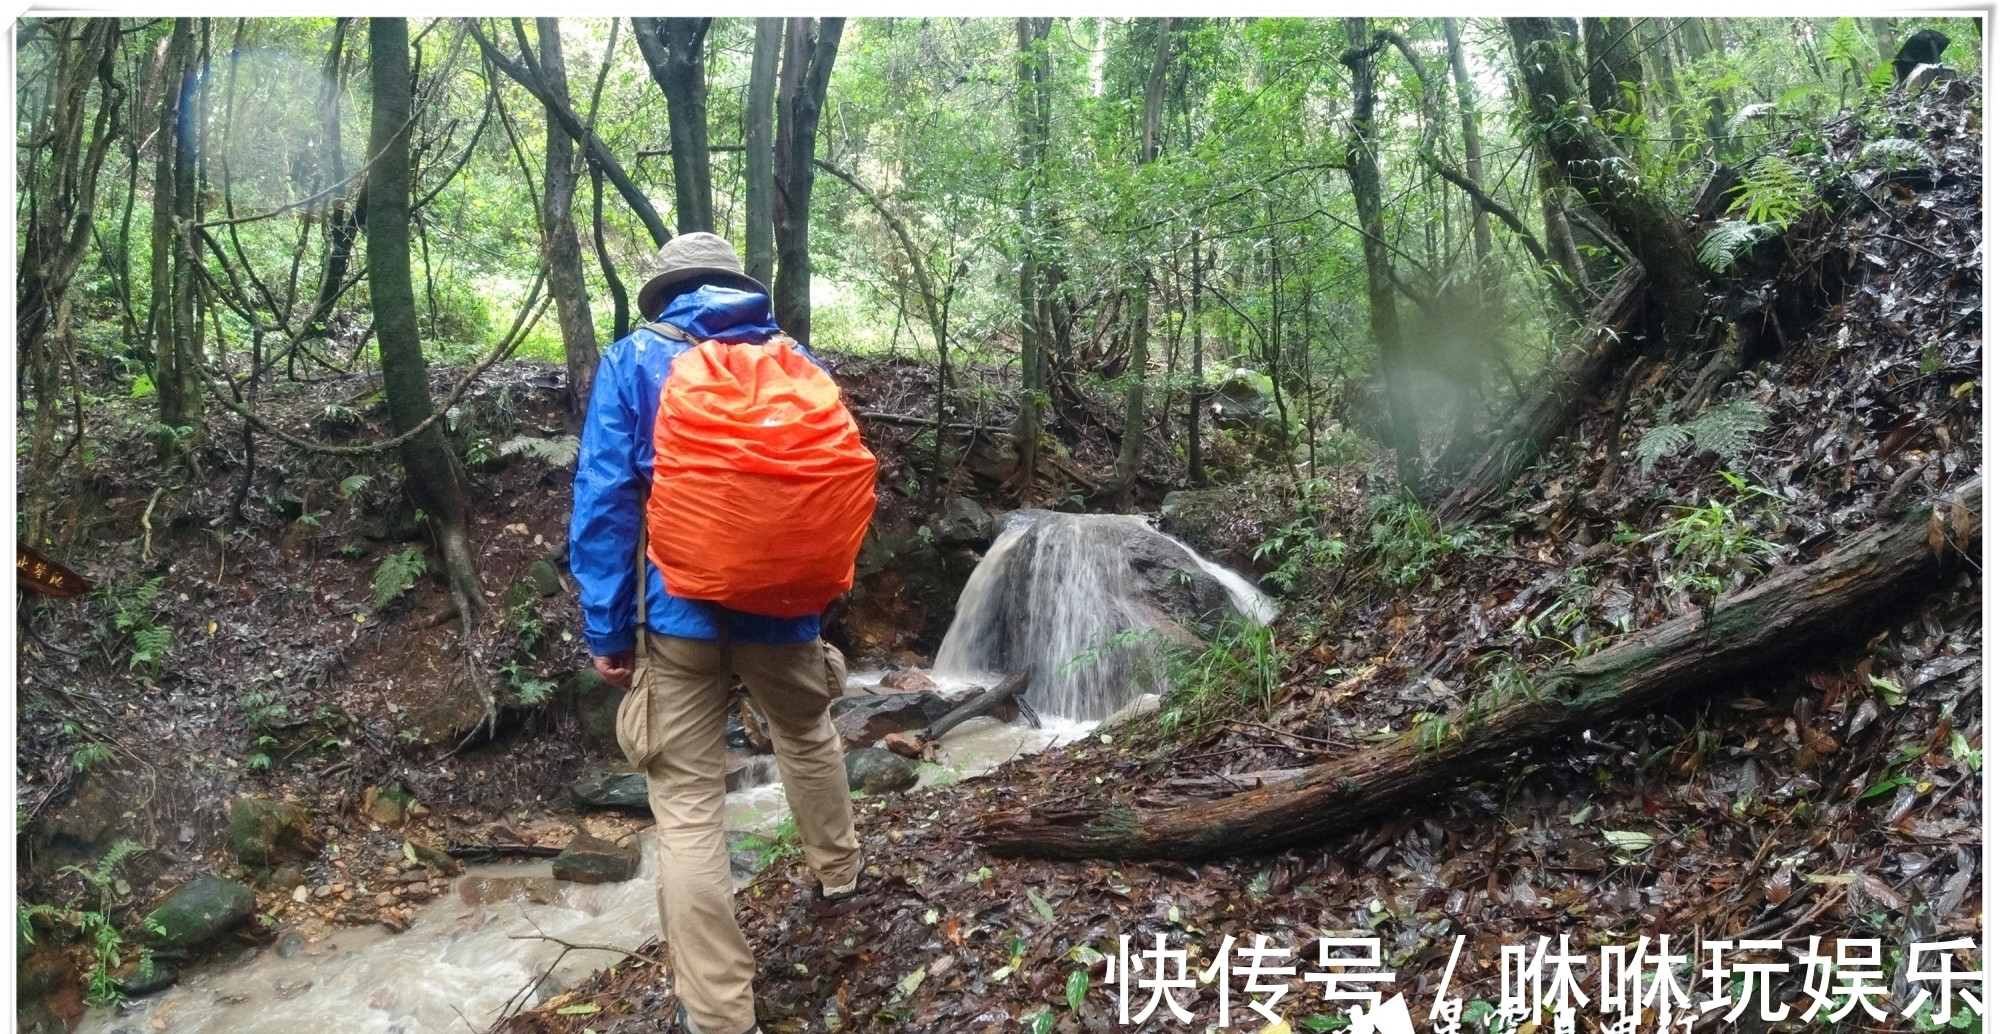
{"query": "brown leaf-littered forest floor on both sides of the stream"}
(1835, 801)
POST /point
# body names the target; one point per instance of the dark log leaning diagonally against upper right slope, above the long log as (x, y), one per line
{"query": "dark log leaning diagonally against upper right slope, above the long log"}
(1601, 345)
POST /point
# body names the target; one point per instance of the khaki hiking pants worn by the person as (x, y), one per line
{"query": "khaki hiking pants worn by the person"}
(793, 687)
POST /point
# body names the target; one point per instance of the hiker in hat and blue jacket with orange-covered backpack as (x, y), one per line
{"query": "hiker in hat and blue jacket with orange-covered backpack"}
(749, 521)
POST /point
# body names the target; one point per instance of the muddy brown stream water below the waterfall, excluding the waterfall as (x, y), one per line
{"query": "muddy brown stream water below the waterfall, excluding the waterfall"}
(481, 947)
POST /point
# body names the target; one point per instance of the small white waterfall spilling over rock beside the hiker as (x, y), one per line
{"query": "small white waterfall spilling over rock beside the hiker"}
(1083, 601)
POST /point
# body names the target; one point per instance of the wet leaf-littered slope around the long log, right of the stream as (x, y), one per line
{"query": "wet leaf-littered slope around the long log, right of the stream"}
(1837, 801)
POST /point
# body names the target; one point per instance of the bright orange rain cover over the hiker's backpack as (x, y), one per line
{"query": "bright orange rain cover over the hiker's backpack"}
(761, 483)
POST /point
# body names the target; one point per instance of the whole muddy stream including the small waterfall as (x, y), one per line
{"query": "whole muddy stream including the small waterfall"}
(1079, 599)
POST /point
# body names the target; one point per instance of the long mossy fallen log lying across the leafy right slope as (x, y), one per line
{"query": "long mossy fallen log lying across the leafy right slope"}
(1777, 621)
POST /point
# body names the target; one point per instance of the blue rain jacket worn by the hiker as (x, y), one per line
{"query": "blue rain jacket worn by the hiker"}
(615, 475)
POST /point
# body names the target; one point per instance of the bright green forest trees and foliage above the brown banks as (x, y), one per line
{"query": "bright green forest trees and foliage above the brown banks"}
(1373, 221)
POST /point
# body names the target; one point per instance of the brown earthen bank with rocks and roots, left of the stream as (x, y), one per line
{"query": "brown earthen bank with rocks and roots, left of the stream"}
(285, 673)
